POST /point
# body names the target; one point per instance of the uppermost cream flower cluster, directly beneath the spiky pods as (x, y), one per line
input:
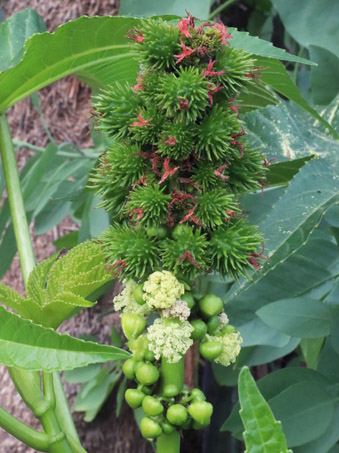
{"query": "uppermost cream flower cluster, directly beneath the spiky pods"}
(162, 290)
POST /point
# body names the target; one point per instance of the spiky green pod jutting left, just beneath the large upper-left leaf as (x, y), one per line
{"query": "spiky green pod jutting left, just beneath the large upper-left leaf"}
(115, 108)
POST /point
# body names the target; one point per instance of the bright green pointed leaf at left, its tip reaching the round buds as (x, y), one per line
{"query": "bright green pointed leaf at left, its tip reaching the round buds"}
(28, 346)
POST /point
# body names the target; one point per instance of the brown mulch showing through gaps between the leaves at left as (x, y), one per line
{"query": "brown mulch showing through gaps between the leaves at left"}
(66, 106)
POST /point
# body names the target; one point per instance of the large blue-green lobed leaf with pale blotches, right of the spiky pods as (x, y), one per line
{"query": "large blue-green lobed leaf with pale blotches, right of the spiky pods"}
(288, 133)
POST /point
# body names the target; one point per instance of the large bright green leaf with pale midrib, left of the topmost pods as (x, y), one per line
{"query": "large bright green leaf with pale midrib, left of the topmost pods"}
(94, 48)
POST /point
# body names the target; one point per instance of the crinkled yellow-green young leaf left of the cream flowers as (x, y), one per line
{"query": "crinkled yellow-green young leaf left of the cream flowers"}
(56, 290)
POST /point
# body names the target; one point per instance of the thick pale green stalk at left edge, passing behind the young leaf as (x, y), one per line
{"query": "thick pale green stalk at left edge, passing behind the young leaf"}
(42, 407)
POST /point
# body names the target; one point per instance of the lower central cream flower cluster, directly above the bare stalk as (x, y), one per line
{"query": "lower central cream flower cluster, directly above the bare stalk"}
(170, 339)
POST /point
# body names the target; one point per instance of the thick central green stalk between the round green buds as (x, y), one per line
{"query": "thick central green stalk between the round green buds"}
(170, 373)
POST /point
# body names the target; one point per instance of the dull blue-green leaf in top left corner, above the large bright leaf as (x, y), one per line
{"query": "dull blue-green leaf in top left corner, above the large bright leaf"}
(13, 34)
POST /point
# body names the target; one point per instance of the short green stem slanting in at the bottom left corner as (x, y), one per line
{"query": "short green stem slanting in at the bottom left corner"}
(35, 439)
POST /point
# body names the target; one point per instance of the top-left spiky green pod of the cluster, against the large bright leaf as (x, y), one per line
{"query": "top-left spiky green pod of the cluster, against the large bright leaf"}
(160, 44)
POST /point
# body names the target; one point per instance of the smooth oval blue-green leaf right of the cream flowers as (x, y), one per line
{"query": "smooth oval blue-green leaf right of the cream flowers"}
(300, 317)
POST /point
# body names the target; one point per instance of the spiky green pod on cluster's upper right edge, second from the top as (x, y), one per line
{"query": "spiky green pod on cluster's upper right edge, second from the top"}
(239, 70)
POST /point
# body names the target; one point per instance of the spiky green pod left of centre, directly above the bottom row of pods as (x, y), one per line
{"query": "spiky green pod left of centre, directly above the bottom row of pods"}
(149, 205)
